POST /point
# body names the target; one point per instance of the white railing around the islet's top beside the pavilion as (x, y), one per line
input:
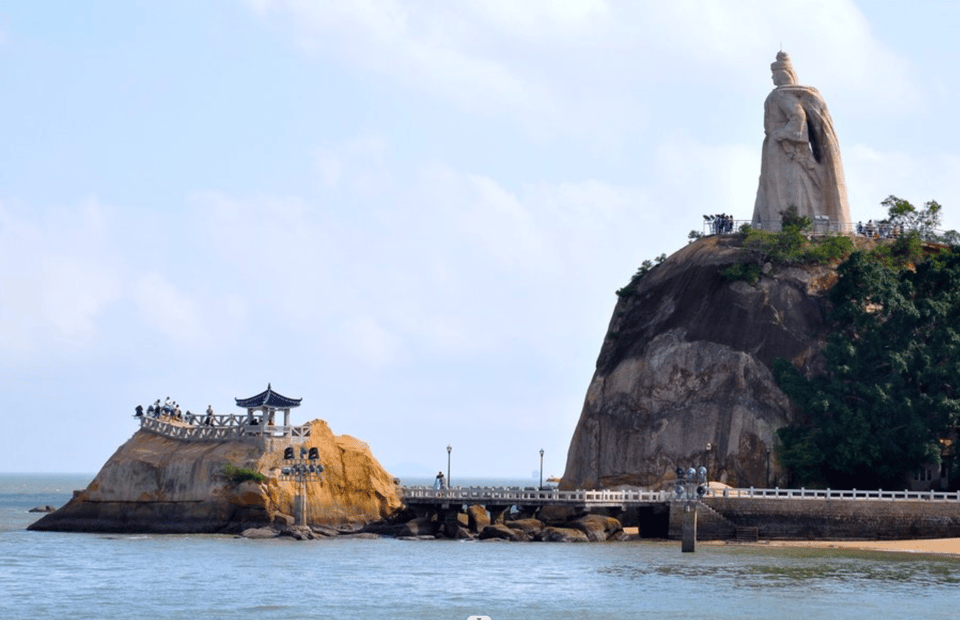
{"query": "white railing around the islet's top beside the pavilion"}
(217, 428)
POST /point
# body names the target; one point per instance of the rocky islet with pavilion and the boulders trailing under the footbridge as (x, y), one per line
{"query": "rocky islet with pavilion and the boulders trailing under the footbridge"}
(238, 474)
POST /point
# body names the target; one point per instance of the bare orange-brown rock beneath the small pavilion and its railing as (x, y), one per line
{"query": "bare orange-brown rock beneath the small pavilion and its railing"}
(157, 484)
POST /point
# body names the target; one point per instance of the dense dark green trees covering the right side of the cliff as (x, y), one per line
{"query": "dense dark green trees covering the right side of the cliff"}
(890, 399)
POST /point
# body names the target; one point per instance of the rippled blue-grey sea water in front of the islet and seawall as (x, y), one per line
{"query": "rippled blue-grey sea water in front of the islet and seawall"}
(97, 576)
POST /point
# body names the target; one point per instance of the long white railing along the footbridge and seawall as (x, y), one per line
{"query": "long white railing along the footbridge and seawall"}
(515, 495)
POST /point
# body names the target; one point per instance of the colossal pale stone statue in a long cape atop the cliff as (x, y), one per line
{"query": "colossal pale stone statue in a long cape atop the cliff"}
(801, 164)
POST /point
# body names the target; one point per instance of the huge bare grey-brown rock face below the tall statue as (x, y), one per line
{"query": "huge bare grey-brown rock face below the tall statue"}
(683, 377)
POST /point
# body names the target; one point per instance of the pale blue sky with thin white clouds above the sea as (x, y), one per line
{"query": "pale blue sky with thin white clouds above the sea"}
(413, 215)
